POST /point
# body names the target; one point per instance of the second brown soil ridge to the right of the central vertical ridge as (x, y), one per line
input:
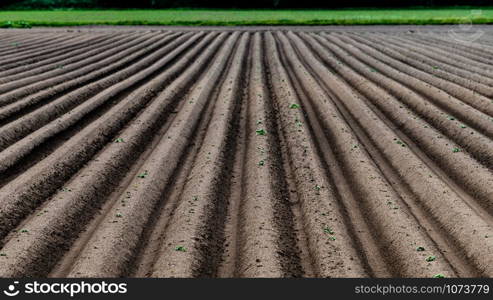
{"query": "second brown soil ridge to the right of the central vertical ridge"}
(382, 206)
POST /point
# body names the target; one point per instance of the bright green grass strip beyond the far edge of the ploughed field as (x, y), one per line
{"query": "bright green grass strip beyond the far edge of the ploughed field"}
(186, 17)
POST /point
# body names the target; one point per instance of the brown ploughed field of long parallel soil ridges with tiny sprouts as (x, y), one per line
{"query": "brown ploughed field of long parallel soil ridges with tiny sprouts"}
(249, 153)
